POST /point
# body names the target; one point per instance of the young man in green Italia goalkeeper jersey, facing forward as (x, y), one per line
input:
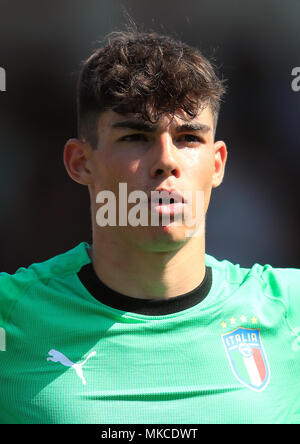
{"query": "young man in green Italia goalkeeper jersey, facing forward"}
(142, 326)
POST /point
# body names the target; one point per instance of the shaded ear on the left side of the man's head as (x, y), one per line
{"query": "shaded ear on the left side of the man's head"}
(76, 155)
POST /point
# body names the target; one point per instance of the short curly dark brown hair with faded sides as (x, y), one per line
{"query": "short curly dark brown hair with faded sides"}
(146, 74)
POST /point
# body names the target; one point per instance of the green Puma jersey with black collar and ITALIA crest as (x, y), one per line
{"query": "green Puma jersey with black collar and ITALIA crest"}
(72, 350)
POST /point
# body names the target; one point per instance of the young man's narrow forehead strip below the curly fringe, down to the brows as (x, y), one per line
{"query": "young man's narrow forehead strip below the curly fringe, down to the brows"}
(112, 121)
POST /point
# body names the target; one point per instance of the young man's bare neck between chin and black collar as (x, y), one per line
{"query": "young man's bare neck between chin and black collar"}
(144, 274)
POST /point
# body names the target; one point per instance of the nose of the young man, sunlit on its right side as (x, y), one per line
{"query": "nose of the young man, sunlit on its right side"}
(164, 157)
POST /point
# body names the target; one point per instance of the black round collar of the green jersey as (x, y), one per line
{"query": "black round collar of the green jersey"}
(150, 307)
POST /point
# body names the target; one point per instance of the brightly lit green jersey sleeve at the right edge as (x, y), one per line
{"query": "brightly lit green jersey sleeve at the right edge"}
(284, 285)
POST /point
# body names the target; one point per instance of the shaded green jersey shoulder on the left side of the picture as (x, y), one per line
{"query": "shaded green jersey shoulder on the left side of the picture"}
(15, 286)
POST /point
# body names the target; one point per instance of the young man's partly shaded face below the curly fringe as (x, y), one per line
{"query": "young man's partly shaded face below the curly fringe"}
(172, 154)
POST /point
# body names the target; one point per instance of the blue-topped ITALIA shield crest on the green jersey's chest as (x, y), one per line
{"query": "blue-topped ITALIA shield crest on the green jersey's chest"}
(247, 357)
